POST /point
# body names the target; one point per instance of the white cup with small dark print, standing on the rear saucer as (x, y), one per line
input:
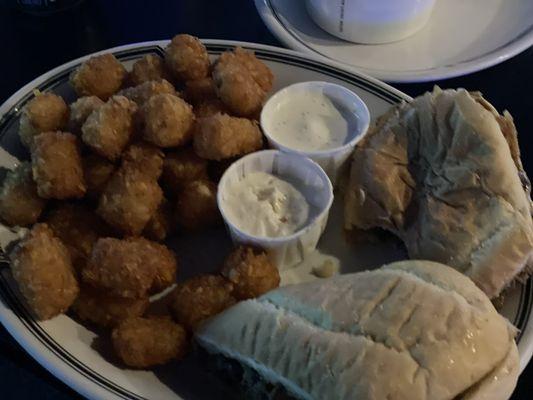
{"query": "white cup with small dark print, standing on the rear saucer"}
(371, 21)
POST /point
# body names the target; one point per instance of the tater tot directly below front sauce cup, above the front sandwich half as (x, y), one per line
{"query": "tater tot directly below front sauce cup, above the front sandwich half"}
(251, 272)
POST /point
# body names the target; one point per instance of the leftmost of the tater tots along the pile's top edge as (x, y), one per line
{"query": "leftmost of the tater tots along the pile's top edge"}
(99, 76)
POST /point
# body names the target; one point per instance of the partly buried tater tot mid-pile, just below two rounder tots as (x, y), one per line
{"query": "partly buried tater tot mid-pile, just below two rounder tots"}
(145, 157)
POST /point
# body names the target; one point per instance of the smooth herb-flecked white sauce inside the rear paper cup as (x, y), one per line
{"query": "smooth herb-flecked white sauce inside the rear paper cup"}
(310, 121)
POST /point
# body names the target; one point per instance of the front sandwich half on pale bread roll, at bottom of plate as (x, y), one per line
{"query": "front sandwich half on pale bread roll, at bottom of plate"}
(413, 330)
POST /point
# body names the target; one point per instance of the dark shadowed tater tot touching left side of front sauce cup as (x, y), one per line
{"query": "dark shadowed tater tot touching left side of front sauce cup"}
(197, 205)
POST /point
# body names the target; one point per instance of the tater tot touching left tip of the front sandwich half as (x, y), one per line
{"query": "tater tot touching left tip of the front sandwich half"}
(201, 297)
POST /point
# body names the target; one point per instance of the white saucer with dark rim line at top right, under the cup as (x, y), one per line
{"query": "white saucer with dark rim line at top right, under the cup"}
(462, 36)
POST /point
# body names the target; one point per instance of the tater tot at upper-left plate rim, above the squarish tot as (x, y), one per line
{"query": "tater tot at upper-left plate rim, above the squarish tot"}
(45, 112)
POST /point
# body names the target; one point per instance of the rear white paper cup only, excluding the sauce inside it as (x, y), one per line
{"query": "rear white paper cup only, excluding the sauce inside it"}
(333, 159)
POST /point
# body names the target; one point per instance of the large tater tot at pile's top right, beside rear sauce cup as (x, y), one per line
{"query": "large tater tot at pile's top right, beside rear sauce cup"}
(242, 81)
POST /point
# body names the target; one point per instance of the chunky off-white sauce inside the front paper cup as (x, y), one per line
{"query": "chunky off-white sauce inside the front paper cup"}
(262, 204)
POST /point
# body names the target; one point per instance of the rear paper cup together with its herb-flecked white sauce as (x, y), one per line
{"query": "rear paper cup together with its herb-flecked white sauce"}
(319, 120)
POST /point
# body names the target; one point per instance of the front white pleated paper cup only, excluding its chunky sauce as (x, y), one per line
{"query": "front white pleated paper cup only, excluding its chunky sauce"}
(313, 183)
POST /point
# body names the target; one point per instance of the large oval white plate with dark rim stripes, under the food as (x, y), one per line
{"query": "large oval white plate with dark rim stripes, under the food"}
(75, 355)
